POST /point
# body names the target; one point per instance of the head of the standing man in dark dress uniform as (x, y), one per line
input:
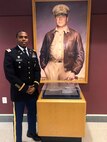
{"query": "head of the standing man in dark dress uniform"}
(22, 39)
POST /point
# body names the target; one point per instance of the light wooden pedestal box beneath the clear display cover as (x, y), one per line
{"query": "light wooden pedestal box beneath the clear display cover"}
(61, 117)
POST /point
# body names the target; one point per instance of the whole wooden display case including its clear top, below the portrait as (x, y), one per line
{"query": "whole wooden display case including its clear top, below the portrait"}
(61, 116)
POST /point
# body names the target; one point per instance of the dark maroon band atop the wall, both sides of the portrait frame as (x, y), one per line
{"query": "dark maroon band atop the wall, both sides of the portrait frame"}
(24, 7)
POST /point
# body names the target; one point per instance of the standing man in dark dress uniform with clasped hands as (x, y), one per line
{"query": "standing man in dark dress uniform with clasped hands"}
(22, 70)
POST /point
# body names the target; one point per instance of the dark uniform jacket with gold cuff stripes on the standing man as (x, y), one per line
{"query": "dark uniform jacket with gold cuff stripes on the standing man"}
(21, 71)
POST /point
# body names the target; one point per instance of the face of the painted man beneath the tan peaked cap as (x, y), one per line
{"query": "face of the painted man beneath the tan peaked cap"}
(61, 20)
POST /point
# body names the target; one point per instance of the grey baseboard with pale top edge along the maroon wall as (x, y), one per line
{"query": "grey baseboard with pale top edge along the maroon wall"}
(89, 118)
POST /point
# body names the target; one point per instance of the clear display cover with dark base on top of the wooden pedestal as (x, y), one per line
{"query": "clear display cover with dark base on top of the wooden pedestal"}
(61, 91)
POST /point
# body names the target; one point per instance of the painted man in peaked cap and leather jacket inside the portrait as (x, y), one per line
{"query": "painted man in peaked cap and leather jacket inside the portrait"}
(62, 53)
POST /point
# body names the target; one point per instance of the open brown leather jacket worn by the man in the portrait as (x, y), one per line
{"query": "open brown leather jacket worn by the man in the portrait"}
(73, 50)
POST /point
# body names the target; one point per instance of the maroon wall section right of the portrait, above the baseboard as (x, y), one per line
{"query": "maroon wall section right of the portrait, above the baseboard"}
(96, 90)
